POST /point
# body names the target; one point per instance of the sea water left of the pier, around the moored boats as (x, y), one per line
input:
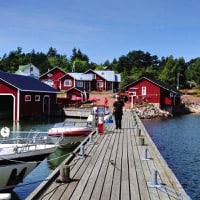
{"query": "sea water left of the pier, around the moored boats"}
(44, 168)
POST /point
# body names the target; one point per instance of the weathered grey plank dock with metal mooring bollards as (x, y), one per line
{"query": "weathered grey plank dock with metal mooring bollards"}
(119, 164)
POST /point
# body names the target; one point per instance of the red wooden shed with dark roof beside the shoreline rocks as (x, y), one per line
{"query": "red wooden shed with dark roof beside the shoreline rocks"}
(146, 90)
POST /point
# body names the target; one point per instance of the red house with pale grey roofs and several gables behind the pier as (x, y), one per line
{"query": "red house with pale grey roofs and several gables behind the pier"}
(91, 80)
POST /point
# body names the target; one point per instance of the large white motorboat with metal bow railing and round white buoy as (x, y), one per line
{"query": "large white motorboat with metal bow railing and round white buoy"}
(19, 156)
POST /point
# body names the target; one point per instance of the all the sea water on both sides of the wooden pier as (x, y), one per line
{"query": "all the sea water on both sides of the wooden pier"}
(178, 140)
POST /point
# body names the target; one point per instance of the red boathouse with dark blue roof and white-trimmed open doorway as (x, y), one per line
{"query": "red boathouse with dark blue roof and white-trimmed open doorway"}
(24, 96)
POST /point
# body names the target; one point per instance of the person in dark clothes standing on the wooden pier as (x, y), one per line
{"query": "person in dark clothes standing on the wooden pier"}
(118, 112)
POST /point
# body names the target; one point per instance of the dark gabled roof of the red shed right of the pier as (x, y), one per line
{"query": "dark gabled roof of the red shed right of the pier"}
(156, 82)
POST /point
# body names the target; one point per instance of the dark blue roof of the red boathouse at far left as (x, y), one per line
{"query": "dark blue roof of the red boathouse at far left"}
(26, 83)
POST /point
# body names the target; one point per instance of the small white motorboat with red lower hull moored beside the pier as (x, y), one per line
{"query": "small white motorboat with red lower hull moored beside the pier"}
(70, 129)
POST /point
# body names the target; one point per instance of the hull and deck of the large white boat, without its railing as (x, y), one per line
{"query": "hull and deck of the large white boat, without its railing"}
(17, 164)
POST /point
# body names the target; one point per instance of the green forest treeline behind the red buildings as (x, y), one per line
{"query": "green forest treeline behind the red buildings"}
(173, 71)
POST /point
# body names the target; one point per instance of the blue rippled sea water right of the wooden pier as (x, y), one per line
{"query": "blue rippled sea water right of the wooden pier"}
(178, 140)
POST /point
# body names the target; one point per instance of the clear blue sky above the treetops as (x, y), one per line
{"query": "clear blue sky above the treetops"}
(103, 30)
